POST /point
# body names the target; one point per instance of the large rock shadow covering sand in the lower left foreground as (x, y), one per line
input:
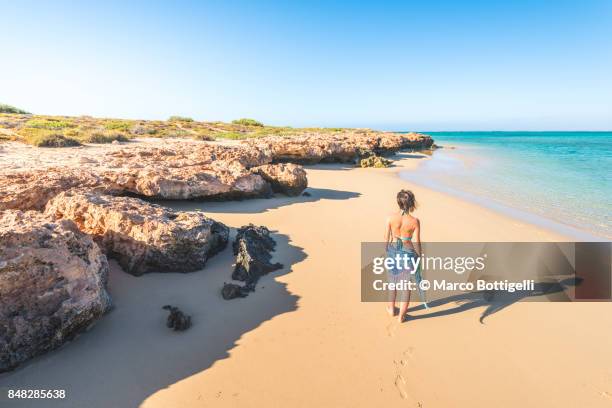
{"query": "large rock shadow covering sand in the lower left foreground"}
(130, 354)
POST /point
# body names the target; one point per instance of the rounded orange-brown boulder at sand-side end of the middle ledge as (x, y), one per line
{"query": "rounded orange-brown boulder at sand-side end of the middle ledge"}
(286, 178)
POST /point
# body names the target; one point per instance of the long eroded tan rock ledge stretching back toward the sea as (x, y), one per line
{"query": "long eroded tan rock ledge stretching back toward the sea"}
(252, 168)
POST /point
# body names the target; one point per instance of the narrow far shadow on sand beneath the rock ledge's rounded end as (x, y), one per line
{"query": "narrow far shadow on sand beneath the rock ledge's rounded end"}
(258, 205)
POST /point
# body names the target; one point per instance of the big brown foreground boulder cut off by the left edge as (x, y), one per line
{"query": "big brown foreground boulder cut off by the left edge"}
(52, 284)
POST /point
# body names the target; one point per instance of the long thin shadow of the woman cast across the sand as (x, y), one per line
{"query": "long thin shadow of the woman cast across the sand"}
(494, 301)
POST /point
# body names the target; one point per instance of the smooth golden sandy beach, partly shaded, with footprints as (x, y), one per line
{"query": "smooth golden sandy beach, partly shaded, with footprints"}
(305, 339)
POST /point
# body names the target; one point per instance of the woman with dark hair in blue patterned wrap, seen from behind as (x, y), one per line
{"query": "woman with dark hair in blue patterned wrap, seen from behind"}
(402, 237)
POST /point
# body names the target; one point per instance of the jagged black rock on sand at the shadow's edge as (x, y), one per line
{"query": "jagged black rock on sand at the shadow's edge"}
(252, 247)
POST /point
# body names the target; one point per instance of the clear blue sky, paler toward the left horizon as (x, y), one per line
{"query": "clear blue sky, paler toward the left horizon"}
(418, 65)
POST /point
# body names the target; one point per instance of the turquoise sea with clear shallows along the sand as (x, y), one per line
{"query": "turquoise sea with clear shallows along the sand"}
(563, 179)
